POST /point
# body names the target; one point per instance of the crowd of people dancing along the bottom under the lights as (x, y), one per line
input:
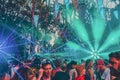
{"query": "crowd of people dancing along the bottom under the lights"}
(58, 69)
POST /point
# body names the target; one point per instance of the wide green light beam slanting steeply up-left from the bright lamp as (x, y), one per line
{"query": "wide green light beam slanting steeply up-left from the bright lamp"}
(78, 27)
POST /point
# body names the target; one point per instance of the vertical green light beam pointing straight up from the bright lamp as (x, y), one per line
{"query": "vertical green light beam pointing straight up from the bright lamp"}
(98, 27)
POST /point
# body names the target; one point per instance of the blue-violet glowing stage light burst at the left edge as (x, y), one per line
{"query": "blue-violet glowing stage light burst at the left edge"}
(8, 42)
